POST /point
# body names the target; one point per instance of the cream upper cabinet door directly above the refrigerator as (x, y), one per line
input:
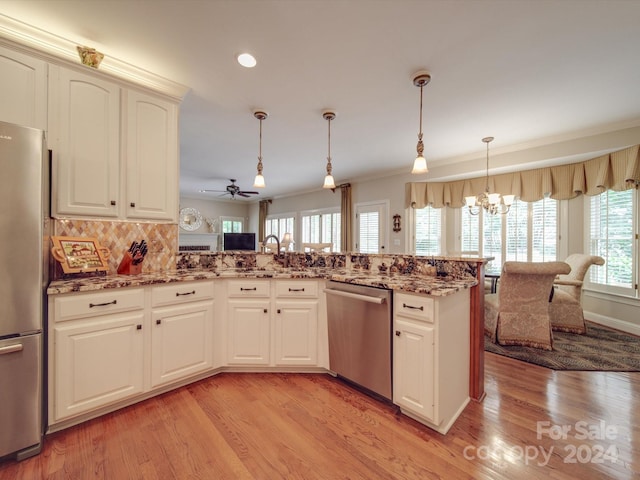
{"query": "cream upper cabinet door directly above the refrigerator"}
(23, 89)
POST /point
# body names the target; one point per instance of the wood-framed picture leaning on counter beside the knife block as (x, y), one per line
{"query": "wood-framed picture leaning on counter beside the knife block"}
(80, 254)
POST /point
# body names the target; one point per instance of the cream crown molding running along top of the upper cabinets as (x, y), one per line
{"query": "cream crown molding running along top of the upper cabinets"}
(54, 48)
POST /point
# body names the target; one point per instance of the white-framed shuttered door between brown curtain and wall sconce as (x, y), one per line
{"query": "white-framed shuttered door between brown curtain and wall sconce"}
(371, 227)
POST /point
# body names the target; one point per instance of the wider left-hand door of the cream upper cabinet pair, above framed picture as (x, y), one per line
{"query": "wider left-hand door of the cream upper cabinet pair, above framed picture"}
(84, 130)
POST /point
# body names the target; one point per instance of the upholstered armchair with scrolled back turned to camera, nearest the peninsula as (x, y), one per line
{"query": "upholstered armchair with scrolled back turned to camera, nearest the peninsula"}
(519, 313)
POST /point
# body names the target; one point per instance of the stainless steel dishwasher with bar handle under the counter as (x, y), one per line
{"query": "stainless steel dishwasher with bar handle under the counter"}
(359, 322)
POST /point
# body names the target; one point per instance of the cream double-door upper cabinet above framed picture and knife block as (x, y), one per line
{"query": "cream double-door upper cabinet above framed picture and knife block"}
(115, 149)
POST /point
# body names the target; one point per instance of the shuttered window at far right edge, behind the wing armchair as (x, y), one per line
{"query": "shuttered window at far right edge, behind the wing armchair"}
(612, 226)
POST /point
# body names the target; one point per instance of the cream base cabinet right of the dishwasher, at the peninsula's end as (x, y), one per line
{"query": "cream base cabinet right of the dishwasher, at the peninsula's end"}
(431, 357)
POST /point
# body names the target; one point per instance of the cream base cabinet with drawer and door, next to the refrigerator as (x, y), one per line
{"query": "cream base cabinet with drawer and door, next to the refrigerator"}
(95, 351)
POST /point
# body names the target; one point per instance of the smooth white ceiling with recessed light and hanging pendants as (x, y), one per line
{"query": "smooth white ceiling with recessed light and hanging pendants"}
(525, 72)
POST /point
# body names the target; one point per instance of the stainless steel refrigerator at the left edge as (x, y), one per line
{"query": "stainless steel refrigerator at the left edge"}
(24, 225)
